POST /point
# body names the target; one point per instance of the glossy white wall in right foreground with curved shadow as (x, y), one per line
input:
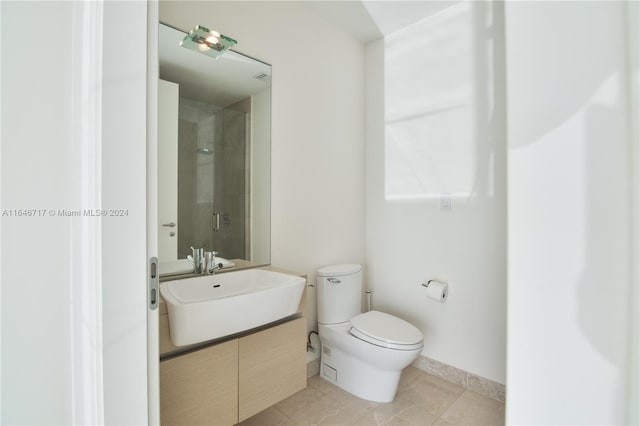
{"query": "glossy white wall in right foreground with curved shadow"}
(570, 224)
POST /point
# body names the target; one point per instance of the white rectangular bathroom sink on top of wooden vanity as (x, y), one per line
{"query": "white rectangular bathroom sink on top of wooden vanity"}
(214, 306)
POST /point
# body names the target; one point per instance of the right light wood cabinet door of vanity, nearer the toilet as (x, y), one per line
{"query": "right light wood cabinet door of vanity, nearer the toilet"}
(272, 366)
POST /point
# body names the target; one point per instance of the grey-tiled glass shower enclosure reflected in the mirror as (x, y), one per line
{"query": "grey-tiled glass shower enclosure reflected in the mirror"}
(213, 181)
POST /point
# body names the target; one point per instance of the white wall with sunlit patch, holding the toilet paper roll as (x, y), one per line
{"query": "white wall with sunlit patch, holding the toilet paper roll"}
(435, 97)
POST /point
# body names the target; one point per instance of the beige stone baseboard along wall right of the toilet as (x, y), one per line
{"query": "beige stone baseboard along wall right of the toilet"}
(468, 380)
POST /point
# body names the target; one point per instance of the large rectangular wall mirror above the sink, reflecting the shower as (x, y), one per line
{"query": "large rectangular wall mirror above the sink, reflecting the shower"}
(214, 156)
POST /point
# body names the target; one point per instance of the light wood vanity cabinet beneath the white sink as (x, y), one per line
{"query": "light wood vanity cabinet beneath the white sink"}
(227, 380)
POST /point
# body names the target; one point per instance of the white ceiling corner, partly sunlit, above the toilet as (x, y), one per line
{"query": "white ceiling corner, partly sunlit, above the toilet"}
(371, 20)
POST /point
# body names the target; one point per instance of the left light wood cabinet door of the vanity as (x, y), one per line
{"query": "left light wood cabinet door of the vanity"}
(201, 387)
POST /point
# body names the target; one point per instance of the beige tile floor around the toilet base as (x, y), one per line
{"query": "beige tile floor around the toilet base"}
(422, 399)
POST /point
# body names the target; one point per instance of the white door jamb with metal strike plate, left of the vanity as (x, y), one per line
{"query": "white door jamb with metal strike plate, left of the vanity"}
(127, 322)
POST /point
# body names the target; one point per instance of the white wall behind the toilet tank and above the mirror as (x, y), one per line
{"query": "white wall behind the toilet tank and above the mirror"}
(317, 202)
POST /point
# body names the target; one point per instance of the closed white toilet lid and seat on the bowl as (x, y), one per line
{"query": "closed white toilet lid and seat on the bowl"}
(386, 330)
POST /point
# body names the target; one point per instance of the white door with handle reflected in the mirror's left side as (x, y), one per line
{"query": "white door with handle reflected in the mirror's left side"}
(167, 170)
